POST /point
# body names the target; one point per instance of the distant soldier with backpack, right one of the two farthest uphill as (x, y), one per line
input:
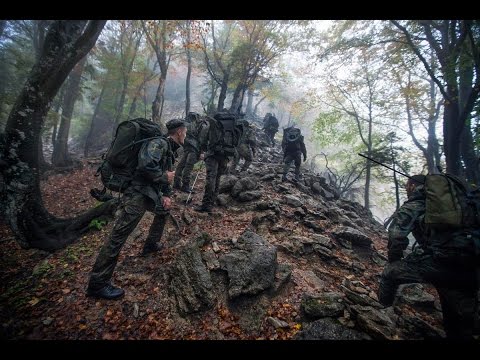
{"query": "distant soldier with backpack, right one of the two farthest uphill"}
(293, 147)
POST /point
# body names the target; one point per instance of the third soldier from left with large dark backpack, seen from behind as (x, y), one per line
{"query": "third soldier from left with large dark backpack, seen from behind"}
(223, 137)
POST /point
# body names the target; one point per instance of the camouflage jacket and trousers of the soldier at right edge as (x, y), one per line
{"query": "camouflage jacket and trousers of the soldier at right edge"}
(456, 285)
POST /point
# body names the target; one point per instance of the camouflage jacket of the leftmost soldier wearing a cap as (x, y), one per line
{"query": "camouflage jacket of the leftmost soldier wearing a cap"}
(154, 159)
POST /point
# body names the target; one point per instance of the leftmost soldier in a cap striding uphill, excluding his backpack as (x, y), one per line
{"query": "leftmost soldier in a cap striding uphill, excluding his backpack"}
(149, 191)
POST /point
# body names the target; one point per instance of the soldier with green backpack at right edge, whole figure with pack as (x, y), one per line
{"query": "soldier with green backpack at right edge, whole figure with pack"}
(447, 256)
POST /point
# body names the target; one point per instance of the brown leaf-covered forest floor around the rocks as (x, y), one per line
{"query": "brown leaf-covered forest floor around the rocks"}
(42, 295)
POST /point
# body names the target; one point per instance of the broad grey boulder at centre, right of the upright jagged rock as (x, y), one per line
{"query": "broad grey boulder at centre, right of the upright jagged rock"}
(251, 265)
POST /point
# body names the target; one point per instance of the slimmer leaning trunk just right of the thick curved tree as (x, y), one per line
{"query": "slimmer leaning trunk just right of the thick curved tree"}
(60, 155)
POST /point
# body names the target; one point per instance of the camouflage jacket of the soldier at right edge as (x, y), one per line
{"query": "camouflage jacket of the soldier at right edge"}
(407, 219)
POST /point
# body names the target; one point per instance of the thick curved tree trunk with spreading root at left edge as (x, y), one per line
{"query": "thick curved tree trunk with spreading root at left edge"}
(66, 43)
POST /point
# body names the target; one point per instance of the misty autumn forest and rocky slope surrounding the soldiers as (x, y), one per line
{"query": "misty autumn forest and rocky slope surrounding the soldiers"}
(275, 260)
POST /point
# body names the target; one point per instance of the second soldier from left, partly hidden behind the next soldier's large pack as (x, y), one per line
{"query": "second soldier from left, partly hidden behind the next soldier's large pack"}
(193, 149)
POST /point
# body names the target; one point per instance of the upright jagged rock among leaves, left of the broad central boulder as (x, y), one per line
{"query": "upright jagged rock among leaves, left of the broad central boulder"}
(190, 282)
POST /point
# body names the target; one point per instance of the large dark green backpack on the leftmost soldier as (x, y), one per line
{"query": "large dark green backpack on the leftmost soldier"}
(121, 158)
